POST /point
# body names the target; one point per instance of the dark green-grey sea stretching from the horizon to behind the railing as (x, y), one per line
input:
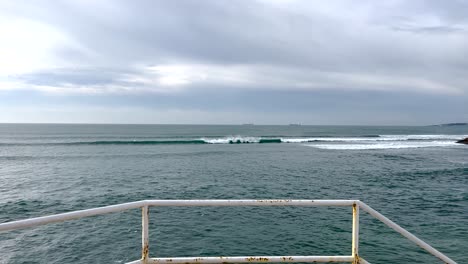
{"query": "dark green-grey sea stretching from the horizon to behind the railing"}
(416, 176)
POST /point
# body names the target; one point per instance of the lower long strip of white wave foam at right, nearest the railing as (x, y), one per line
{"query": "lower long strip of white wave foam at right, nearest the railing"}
(386, 145)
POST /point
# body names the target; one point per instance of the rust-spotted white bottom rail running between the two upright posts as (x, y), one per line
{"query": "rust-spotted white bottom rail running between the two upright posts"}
(252, 259)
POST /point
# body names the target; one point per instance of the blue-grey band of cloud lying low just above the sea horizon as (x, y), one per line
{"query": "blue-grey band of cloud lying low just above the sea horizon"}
(331, 107)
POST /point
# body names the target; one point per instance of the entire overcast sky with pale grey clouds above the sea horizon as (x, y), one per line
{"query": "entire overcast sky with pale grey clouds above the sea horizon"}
(231, 62)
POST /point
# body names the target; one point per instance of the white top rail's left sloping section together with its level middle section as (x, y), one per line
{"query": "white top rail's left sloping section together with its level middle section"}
(126, 206)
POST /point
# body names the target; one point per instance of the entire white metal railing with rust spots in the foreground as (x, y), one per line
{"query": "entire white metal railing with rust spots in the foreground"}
(145, 204)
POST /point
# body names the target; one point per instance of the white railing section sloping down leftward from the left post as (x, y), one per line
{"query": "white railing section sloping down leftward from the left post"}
(69, 216)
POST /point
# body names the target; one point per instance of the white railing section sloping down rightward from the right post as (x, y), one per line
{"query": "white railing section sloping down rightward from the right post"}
(406, 234)
